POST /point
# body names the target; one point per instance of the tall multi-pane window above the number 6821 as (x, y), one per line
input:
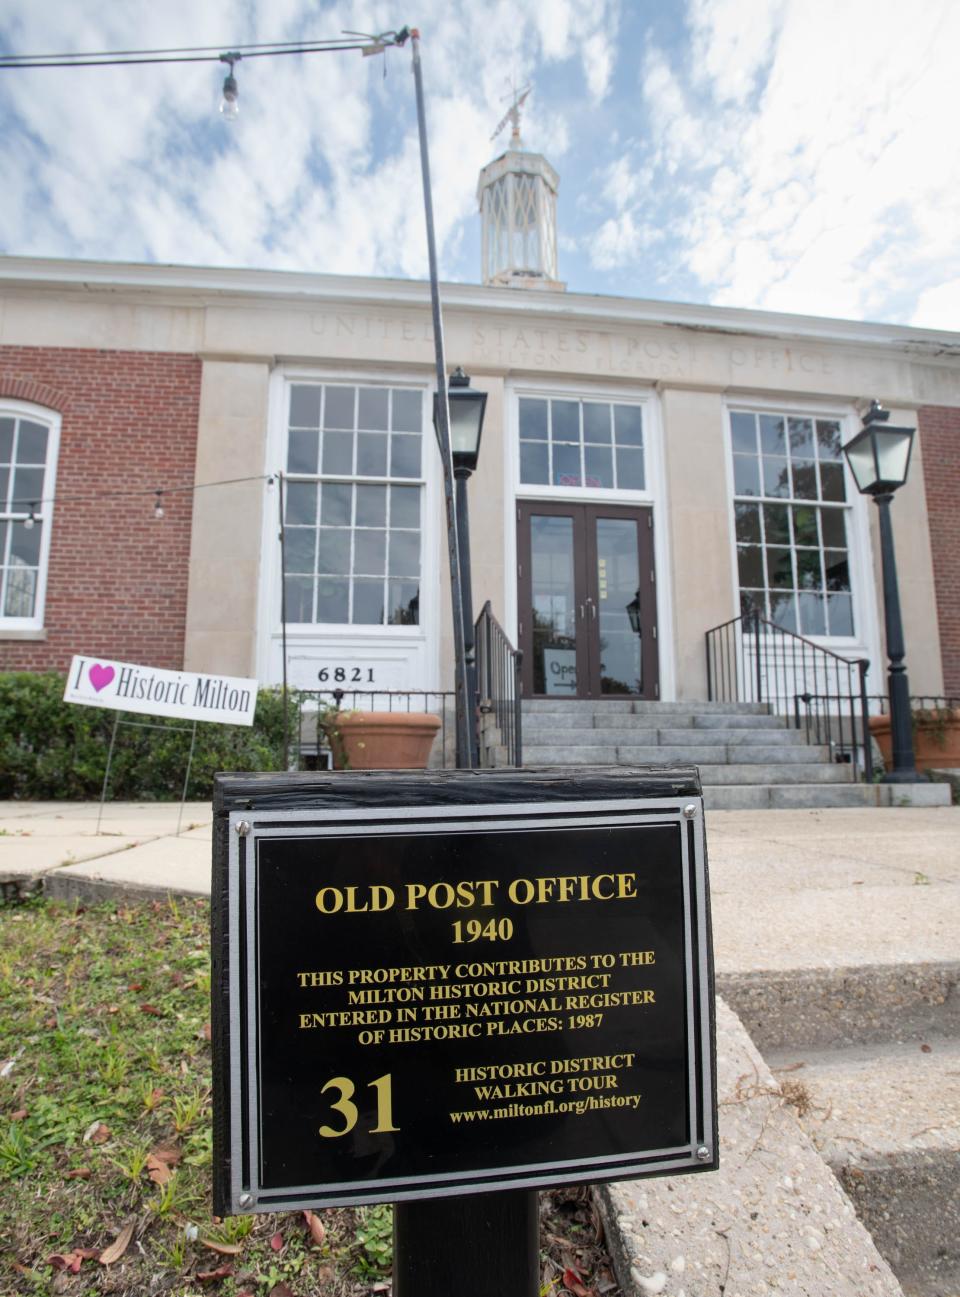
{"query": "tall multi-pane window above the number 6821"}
(354, 496)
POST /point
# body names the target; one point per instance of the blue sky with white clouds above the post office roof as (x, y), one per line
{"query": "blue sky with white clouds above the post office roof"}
(796, 156)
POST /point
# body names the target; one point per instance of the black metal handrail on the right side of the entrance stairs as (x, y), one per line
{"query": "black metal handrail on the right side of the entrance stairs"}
(754, 661)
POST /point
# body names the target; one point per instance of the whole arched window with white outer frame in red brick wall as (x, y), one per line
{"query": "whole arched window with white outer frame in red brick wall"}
(29, 444)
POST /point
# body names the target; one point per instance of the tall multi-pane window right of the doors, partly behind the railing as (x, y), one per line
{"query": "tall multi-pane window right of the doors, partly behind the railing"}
(792, 522)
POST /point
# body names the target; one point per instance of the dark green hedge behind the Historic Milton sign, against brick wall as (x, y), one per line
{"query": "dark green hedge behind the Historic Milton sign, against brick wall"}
(54, 750)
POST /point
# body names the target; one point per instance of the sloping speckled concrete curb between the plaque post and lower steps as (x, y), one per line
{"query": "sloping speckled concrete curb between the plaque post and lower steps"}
(773, 1220)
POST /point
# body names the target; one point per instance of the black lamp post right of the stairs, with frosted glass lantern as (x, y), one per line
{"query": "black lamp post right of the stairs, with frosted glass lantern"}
(879, 458)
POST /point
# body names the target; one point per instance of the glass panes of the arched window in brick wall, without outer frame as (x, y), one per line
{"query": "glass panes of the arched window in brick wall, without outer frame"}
(25, 447)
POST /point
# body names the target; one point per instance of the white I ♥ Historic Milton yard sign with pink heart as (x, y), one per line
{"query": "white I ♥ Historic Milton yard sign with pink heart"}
(128, 688)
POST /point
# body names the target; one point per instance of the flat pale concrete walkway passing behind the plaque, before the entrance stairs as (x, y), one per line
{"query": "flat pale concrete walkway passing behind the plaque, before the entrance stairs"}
(791, 889)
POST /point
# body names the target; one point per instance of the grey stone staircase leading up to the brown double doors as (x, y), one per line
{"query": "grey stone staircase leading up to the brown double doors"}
(749, 759)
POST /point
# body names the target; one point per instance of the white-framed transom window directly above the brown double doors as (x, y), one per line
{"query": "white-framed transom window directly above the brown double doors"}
(569, 443)
